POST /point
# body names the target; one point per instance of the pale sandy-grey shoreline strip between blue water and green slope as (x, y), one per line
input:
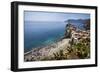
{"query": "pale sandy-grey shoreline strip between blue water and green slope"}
(46, 51)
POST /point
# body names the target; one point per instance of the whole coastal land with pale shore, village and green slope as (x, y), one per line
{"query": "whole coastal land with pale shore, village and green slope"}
(74, 45)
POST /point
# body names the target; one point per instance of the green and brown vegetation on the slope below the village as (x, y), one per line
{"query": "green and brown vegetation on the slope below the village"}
(80, 50)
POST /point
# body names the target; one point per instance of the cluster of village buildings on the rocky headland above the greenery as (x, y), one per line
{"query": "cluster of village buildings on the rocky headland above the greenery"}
(75, 33)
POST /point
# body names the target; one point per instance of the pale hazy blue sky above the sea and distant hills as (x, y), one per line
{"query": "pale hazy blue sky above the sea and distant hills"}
(53, 16)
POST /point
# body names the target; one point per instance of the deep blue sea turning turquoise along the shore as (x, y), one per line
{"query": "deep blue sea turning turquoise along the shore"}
(39, 34)
